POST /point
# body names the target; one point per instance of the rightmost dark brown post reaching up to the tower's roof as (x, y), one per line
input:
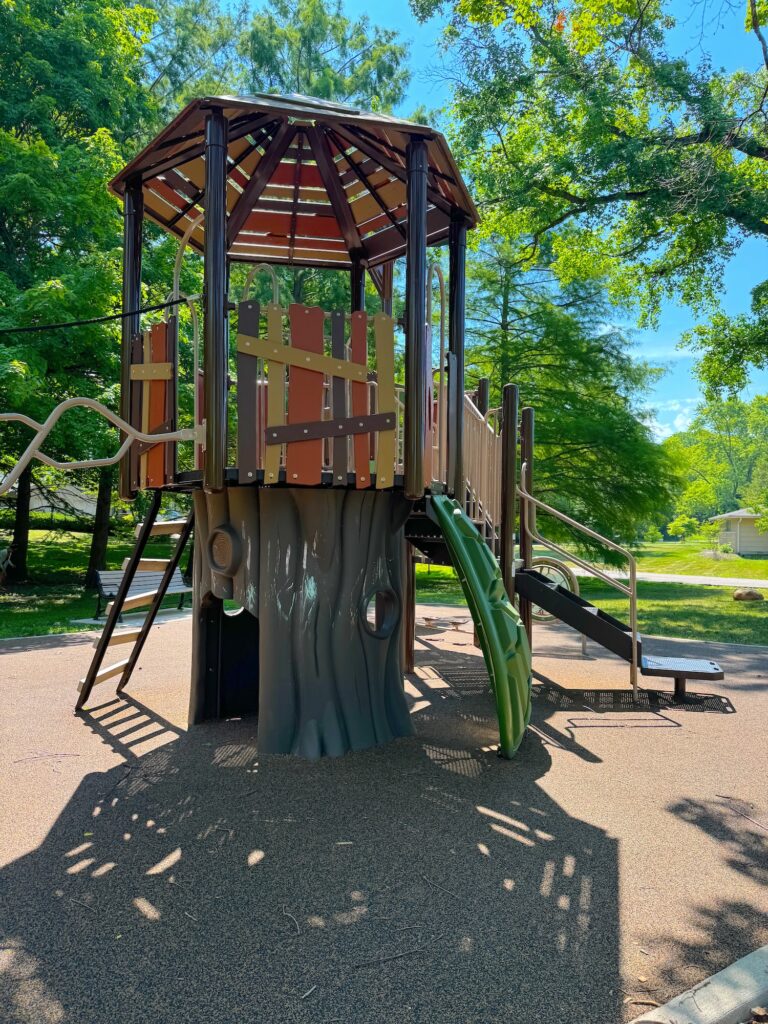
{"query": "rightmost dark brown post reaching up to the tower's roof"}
(457, 305)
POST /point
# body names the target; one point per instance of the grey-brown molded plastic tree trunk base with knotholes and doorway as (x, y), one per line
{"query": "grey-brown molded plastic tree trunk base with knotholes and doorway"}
(322, 572)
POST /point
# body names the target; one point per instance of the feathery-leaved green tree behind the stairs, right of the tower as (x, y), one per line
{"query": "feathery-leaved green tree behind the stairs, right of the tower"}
(596, 459)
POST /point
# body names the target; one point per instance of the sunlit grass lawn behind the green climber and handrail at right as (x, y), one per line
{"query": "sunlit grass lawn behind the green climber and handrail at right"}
(664, 609)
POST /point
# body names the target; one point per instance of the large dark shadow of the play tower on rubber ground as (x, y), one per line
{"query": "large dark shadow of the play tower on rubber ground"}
(425, 880)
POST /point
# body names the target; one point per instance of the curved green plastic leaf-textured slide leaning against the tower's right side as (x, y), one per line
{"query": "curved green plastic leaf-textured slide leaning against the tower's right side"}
(503, 639)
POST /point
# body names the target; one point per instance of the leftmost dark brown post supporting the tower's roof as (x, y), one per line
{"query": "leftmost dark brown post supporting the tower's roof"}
(134, 212)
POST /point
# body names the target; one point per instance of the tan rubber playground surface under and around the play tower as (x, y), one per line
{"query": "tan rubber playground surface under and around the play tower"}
(152, 874)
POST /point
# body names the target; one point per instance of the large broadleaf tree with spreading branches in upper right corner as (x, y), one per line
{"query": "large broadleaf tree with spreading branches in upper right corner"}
(596, 147)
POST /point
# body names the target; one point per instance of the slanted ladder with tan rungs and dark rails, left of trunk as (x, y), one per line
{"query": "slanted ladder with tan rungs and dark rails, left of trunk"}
(123, 669)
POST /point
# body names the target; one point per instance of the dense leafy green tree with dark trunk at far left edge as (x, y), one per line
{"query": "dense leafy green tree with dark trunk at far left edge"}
(71, 91)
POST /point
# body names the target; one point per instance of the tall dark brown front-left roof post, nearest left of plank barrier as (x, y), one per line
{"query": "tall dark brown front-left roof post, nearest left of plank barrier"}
(216, 302)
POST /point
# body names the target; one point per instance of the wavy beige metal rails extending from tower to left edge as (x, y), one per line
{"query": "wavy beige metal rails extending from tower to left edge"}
(44, 430)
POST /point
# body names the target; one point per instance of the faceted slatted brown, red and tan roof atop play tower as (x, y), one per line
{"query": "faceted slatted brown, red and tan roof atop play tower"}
(309, 183)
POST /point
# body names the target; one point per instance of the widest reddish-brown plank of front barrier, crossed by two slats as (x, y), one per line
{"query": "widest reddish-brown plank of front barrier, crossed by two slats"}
(305, 459)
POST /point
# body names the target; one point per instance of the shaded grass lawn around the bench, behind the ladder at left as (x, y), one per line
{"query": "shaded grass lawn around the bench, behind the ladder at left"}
(56, 594)
